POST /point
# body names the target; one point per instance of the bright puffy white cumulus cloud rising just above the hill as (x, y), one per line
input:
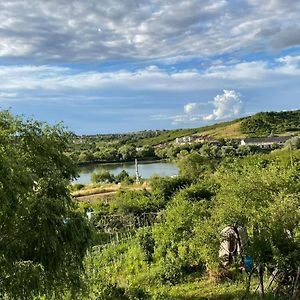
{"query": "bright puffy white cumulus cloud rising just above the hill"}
(227, 105)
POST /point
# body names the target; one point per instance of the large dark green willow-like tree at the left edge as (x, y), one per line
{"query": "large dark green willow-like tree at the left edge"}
(43, 240)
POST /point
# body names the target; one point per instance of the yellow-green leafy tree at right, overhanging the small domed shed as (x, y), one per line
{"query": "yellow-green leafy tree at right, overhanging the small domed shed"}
(261, 196)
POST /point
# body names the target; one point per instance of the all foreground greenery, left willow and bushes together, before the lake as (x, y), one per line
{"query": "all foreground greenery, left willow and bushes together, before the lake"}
(156, 243)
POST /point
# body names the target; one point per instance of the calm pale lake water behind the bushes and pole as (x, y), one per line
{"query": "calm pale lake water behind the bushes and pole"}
(146, 170)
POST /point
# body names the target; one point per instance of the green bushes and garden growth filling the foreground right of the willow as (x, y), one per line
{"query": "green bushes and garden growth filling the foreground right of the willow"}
(151, 241)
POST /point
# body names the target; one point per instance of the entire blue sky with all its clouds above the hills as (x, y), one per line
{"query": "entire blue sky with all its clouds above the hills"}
(126, 65)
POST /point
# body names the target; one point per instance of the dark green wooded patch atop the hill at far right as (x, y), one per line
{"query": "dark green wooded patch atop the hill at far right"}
(265, 123)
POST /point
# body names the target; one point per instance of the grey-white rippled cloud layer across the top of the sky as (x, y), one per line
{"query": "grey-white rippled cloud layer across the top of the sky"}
(72, 30)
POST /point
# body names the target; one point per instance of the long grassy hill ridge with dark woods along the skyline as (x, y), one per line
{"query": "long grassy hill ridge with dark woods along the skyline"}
(260, 124)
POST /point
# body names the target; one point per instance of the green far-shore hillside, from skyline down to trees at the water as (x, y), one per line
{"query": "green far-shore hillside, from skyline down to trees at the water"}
(151, 145)
